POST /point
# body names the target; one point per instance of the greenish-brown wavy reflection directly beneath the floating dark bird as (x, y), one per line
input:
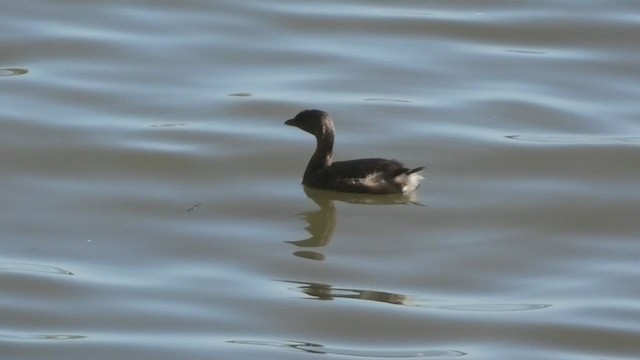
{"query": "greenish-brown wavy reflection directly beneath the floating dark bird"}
(322, 222)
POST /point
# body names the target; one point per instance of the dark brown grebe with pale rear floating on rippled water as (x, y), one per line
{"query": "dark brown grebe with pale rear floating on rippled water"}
(370, 176)
